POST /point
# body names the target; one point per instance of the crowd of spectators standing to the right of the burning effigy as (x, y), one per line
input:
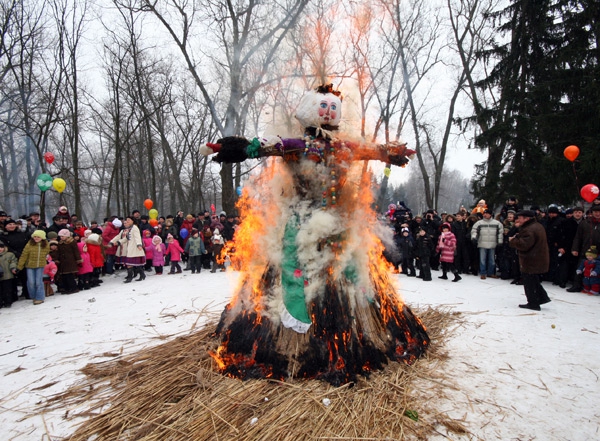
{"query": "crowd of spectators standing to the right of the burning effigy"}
(482, 242)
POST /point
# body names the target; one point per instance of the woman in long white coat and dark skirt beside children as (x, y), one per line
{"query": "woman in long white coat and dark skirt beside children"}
(131, 251)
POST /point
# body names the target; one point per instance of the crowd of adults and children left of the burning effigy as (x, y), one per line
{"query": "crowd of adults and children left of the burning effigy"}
(72, 256)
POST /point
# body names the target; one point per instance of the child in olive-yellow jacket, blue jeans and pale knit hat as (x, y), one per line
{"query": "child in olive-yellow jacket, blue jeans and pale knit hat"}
(33, 258)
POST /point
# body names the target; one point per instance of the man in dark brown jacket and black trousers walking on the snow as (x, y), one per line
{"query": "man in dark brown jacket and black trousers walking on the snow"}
(534, 258)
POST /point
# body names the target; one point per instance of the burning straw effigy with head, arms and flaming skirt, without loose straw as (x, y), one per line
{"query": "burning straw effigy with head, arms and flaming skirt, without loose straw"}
(315, 299)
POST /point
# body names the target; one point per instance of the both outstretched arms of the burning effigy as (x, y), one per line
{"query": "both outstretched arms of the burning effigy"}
(234, 149)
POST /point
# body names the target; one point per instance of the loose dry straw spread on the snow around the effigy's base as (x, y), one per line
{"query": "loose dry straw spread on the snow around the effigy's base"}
(171, 392)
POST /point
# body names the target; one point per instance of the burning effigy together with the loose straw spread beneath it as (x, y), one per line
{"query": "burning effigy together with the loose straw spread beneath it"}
(314, 314)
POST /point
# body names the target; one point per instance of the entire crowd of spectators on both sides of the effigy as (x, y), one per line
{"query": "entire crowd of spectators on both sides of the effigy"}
(474, 242)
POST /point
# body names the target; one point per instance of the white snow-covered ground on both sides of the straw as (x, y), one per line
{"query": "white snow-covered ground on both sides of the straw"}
(520, 375)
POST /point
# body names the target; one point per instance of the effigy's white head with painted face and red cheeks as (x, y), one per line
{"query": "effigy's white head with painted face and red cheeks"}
(318, 109)
